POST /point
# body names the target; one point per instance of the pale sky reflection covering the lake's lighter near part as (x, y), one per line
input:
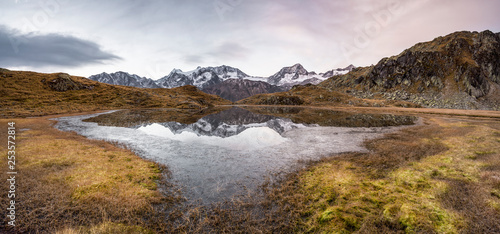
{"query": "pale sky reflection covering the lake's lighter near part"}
(211, 164)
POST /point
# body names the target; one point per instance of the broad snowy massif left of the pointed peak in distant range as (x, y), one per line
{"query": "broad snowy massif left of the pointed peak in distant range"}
(201, 77)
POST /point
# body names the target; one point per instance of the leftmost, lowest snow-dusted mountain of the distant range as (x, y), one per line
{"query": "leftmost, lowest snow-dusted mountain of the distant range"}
(123, 78)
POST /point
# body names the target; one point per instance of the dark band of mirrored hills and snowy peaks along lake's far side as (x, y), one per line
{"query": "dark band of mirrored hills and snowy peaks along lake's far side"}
(226, 121)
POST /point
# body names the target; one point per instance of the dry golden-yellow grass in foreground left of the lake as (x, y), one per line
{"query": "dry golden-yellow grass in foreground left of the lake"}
(67, 181)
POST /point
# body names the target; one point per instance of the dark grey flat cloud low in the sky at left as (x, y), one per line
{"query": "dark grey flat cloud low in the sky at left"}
(35, 50)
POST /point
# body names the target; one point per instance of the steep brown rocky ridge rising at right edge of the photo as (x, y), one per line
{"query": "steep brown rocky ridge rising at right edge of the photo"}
(460, 71)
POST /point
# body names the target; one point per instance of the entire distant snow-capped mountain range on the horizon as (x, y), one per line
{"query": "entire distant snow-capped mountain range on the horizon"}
(212, 79)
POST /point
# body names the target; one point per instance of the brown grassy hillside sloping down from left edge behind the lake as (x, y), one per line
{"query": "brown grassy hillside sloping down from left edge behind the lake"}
(34, 94)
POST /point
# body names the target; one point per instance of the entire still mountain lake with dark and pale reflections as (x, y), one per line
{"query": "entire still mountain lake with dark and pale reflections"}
(213, 154)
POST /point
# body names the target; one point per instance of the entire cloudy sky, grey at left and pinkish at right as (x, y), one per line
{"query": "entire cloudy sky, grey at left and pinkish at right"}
(151, 37)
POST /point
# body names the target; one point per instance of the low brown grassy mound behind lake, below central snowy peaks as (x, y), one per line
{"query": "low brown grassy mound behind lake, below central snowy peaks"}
(318, 96)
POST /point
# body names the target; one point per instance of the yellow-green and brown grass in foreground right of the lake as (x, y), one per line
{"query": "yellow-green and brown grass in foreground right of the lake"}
(441, 178)
